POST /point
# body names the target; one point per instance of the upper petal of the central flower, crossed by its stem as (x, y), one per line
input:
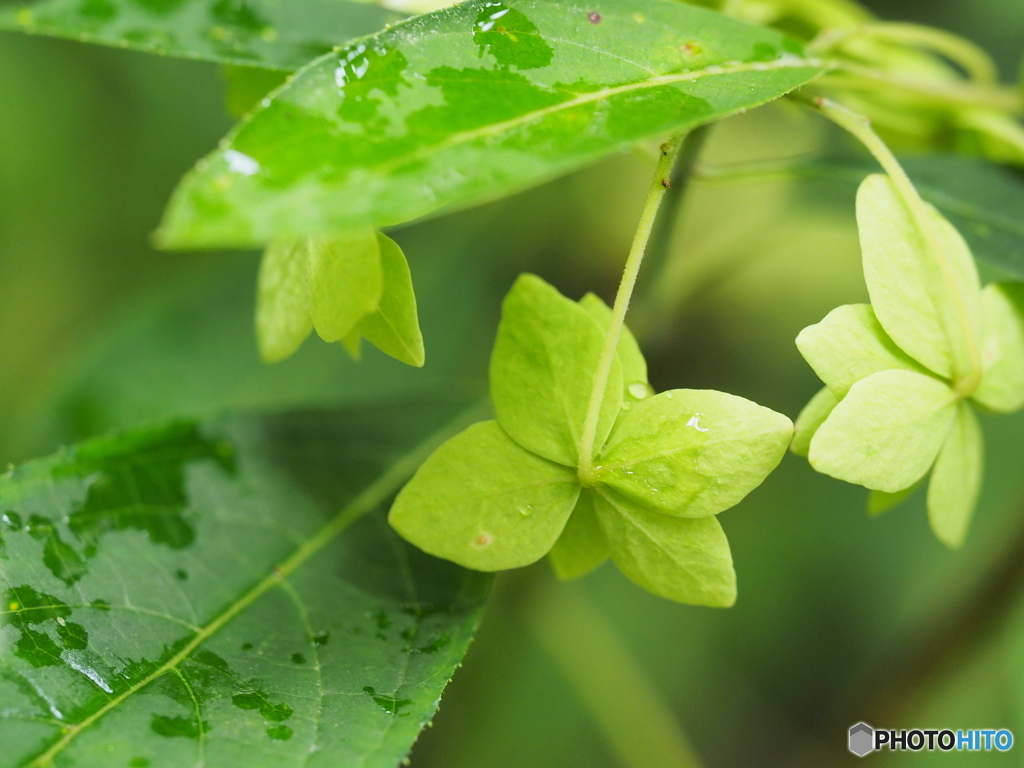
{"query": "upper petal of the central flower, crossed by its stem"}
(542, 372)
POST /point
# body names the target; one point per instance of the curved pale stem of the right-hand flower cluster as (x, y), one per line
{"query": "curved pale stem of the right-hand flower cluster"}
(967, 355)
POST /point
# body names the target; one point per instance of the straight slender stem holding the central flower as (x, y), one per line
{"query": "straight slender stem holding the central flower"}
(660, 186)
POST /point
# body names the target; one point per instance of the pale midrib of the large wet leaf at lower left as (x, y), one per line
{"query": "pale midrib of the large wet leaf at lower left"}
(368, 500)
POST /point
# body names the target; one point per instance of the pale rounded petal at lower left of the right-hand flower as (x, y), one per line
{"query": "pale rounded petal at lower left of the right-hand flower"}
(886, 434)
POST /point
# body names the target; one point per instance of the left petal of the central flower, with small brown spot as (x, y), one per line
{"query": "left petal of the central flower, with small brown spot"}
(486, 503)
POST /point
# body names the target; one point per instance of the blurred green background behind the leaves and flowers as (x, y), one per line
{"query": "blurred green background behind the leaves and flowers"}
(840, 618)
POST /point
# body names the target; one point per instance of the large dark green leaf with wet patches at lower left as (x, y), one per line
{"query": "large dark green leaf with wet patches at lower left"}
(223, 598)
